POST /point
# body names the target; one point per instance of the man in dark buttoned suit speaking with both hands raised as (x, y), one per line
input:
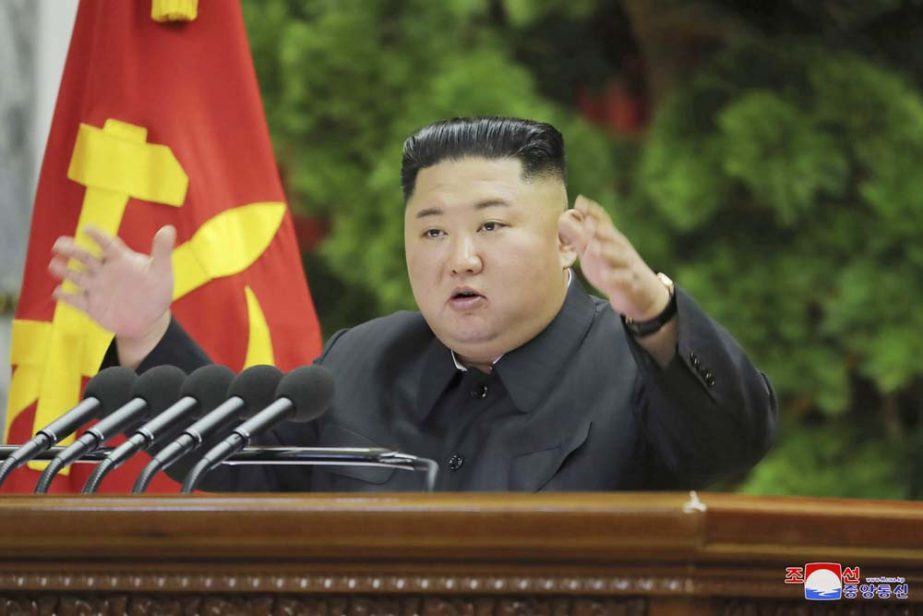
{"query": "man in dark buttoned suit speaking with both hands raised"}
(511, 376)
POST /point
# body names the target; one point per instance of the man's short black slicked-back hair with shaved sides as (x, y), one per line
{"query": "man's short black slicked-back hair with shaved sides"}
(538, 146)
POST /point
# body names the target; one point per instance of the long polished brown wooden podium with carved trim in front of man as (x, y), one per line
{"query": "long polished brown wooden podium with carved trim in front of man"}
(429, 554)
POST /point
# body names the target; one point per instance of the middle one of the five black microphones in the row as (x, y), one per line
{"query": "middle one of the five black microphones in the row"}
(202, 391)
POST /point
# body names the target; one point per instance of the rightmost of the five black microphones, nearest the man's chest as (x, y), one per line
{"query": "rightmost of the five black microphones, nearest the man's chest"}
(303, 395)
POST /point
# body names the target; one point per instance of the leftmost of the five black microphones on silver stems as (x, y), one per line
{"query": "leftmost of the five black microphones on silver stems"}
(105, 392)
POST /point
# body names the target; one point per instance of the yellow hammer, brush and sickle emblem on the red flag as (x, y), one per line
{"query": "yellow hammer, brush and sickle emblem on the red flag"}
(116, 163)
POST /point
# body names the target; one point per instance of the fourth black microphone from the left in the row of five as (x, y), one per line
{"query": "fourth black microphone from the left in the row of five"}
(250, 390)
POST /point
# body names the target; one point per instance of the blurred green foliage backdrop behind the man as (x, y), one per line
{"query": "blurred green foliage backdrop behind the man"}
(764, 154)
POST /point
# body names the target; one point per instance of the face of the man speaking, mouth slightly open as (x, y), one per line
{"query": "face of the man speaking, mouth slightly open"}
(485, 262)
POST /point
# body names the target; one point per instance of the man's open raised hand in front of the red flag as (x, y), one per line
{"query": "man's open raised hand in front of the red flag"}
(127, 292)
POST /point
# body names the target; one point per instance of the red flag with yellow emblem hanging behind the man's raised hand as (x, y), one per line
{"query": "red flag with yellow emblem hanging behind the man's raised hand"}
(159, 123)
